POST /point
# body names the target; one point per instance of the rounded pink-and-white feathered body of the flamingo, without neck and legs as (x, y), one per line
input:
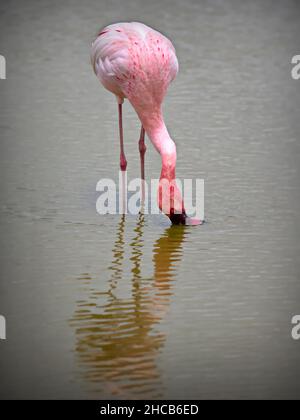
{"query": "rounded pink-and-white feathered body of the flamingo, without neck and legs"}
(134, 61)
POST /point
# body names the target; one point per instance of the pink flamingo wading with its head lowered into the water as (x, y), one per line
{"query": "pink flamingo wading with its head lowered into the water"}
(136, 62)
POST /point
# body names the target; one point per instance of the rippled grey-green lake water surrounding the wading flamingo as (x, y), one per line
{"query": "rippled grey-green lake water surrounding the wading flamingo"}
(127, 306)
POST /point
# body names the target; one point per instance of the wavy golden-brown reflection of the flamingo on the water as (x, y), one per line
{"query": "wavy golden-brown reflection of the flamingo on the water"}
(118, 341)
